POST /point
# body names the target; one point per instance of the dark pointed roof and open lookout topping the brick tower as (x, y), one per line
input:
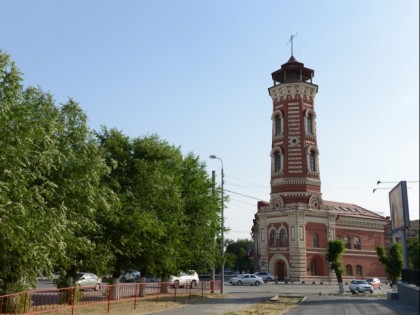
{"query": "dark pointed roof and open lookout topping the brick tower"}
(293, 71)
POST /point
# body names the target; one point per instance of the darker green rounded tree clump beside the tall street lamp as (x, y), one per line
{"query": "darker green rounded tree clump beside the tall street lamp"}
(167, 215)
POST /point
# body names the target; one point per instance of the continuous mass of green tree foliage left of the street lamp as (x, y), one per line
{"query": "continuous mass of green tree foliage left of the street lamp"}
(79, 200)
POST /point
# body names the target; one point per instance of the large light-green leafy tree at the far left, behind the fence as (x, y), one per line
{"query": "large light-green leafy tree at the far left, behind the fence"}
(49, 177)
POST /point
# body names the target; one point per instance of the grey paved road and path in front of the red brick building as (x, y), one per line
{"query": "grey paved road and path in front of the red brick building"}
(319, 299)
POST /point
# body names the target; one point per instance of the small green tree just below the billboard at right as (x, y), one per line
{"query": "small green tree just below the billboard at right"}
(392, 261)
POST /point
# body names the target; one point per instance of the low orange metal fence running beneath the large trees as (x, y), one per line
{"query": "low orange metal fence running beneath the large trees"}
(53, 300)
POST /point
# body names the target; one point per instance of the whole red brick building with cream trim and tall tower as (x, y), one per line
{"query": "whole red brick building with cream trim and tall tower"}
(292, 231)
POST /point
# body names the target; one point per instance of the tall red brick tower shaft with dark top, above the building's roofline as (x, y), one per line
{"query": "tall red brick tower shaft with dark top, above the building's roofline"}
(295, 176)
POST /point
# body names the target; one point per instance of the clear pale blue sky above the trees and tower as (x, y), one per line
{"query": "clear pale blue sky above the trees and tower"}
(197, 72)
